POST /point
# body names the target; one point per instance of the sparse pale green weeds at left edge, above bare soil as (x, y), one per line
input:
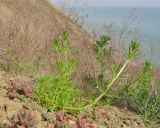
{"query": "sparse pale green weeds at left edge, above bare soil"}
(11, 63)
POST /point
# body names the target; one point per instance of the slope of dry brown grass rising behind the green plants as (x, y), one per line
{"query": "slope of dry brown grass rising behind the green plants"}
(27, 27)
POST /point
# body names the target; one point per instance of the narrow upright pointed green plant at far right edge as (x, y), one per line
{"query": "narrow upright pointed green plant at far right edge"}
(147, 101)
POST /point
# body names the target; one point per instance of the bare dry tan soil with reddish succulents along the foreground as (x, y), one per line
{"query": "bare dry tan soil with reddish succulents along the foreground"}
(12, 101)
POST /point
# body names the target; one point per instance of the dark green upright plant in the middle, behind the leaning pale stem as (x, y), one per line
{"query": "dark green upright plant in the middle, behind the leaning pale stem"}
(102, 54)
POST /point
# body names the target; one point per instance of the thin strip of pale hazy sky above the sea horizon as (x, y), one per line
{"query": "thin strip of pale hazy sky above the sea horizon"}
(116, 3)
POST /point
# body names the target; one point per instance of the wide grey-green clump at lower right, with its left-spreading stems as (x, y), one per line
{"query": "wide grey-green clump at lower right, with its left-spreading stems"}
(143, 94)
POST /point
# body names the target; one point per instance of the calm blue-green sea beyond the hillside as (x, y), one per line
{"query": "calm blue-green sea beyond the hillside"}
(140, 23)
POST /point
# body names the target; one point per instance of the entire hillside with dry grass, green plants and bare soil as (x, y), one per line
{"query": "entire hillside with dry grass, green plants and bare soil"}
(38, 70)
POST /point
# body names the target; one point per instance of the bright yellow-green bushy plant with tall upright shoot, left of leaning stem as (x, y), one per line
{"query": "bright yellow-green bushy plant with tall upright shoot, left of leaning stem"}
(57, 91)
